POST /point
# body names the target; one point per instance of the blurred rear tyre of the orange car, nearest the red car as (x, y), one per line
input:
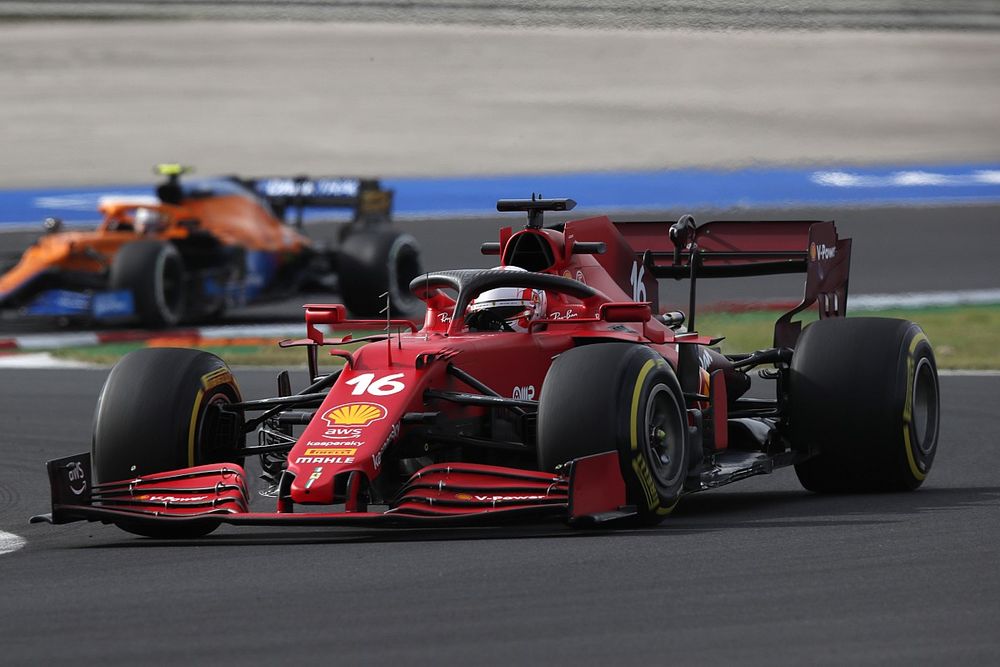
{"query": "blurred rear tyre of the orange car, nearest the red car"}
(375, 261)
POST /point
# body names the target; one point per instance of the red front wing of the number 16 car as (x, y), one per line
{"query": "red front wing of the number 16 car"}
(590, 490)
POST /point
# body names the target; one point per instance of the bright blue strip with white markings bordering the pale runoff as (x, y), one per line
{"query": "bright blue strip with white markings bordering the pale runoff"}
(607, 191)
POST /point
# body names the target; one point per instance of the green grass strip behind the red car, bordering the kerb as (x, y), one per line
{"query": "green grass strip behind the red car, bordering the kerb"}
(965, 337)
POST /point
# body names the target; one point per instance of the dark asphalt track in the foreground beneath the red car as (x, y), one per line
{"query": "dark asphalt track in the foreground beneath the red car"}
(758, 573)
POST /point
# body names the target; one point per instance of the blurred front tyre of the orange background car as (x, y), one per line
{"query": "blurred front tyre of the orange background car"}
(154, 272)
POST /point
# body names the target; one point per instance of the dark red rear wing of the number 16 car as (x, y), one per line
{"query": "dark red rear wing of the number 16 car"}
(736, 249)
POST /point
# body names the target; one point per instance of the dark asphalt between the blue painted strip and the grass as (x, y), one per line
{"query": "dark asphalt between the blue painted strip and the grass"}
(895, 250)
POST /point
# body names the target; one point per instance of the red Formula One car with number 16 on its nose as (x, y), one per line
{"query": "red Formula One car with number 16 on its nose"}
(548, 387)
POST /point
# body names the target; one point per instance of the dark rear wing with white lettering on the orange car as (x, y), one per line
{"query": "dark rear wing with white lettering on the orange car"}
(367, 198)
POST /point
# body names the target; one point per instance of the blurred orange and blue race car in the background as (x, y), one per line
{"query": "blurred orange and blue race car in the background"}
(201, 246)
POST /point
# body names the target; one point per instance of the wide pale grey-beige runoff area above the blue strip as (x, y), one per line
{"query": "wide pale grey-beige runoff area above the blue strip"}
(101, 102)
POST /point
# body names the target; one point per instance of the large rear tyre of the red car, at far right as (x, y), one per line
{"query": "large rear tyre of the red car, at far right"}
(864, 398)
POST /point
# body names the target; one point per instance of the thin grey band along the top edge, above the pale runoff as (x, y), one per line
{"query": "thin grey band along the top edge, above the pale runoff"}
(628, 14)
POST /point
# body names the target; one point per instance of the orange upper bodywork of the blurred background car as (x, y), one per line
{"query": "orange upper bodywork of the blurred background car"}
(233, 220)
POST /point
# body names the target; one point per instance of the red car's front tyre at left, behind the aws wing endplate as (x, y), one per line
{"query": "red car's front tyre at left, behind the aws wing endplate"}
(162, 409)
